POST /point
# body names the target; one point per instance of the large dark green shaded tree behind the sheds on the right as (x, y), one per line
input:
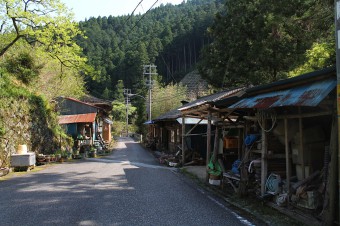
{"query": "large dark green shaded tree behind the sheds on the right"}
(261, 41)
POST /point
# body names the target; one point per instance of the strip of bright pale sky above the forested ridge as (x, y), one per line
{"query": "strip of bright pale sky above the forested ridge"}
(94, 8)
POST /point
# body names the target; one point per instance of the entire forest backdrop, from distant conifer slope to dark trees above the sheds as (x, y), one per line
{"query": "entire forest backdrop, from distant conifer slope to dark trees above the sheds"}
(232, 43)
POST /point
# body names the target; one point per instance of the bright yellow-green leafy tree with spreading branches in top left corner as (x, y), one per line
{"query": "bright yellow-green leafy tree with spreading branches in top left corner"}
(43, 23)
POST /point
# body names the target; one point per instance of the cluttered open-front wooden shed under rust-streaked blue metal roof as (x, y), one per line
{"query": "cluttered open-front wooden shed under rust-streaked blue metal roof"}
(289, 150)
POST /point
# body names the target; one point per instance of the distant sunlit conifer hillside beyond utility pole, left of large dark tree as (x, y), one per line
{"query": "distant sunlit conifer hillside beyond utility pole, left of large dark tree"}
(169, 36)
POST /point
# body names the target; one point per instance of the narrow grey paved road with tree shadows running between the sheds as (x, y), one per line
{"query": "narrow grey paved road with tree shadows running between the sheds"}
(128, 187)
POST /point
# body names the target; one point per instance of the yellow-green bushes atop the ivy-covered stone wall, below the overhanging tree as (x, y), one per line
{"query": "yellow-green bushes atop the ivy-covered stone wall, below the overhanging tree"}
(41, 73)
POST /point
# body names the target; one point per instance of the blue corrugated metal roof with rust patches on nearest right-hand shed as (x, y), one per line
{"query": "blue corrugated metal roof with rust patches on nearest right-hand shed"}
(306, 95)
